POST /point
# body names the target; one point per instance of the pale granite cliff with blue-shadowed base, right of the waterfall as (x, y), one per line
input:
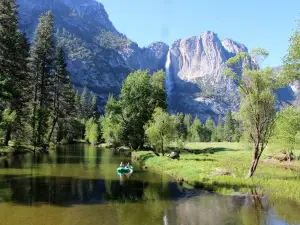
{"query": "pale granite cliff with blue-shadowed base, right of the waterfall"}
(197, 66)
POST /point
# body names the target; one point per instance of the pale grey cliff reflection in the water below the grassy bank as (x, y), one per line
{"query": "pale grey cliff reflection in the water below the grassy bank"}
(210, 209)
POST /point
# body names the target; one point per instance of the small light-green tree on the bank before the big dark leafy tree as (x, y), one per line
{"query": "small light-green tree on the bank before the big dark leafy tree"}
(161, 129)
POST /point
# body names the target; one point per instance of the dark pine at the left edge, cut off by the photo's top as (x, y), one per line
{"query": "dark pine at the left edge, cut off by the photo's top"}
(13, 66)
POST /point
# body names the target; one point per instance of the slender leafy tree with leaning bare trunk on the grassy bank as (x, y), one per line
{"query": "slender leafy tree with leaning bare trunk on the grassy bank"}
(257, 111)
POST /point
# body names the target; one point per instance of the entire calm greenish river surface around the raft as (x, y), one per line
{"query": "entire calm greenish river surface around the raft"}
(79, 185)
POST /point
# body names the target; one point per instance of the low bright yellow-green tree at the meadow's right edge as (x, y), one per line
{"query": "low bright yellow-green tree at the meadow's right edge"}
(287, 129)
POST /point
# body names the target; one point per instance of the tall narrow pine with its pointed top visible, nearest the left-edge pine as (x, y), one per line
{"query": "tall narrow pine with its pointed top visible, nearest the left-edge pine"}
(41, 60)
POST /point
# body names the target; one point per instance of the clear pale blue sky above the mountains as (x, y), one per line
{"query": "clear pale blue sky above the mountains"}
(255, 23)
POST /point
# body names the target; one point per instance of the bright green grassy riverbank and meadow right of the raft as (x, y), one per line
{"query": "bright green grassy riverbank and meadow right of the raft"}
(222, 168)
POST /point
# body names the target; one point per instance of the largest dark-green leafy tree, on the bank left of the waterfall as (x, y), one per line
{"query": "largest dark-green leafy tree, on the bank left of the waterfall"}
(140, 94)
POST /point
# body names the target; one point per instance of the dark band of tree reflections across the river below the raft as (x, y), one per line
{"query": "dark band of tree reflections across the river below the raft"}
(29, 190)
